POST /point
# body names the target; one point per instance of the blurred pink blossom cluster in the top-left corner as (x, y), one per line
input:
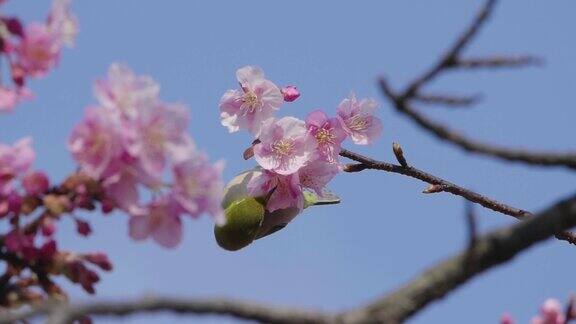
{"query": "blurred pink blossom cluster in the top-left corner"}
(33, 50)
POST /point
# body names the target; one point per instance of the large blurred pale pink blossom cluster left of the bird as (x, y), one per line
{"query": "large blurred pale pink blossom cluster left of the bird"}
(129, 141)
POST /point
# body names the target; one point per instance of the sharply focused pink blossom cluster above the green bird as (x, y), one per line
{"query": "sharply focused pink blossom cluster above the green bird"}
(295, 155)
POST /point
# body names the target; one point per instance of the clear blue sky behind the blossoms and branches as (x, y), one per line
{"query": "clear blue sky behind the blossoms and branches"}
(385, 231)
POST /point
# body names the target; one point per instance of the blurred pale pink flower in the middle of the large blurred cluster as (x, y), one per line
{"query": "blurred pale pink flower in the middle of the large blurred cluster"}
(158, 130)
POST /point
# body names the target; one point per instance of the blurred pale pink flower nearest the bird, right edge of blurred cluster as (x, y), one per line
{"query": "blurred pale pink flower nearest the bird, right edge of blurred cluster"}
(198, 186)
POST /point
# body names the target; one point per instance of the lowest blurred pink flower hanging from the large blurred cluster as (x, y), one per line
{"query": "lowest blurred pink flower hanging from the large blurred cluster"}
(160, 221)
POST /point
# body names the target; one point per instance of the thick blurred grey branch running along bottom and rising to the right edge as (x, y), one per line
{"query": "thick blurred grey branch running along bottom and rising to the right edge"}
(489, 250)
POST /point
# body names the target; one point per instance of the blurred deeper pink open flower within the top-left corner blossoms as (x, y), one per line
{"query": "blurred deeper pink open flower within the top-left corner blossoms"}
(39, 50)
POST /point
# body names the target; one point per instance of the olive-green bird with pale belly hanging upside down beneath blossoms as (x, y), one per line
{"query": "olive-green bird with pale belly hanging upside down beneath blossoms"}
(247, 218)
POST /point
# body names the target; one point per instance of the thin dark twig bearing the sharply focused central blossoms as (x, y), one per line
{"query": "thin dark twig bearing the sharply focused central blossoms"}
(441, 185)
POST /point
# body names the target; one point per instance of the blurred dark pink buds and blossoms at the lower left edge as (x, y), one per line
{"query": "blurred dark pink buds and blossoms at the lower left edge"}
(23, 191)
